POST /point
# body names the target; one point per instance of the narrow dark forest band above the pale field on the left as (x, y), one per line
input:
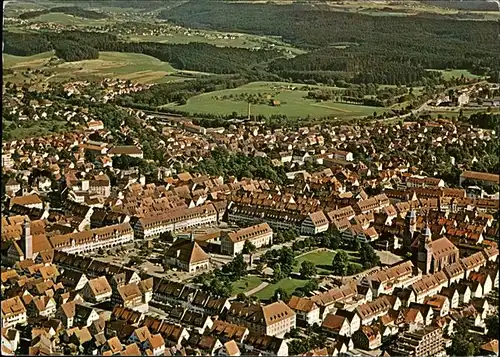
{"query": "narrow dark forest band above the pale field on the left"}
(193, 56)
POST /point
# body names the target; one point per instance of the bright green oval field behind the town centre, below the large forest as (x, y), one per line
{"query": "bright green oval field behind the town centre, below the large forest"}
(292, 102)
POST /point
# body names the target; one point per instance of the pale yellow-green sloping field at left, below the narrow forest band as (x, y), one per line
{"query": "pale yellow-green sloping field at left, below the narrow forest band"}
(136, 67)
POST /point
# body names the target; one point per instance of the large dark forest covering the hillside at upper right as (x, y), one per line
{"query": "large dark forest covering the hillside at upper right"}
(389, 49)
